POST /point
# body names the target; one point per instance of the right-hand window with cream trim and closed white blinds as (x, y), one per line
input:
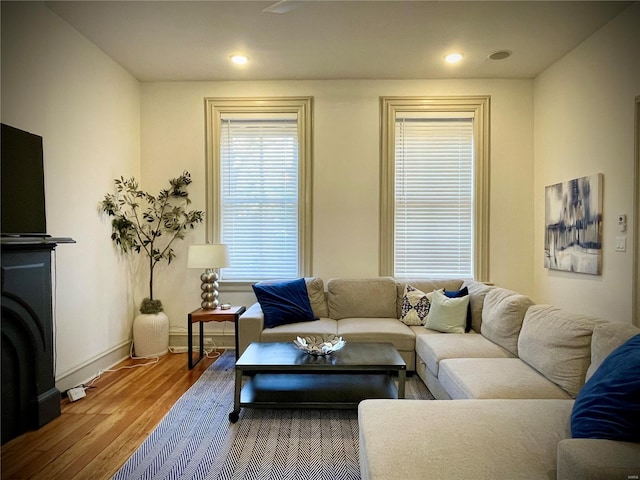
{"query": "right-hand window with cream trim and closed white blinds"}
(434, 196)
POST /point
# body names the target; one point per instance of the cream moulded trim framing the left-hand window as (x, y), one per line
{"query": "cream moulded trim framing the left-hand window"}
(215, 107)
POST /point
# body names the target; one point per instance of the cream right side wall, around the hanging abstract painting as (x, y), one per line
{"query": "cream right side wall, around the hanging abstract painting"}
(584, 122)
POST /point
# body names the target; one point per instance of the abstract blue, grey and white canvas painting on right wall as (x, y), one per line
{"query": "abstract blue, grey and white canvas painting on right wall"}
(573, 225)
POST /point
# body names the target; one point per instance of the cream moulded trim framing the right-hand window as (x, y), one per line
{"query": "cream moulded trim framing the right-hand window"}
(389, 107)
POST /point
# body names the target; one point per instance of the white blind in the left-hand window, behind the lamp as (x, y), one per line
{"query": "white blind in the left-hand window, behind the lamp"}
(259, 195)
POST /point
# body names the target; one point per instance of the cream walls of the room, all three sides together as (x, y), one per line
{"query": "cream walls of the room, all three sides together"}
(89, 110)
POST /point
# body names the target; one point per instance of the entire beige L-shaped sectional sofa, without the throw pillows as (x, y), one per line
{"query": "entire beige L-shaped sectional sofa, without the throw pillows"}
(511, 380)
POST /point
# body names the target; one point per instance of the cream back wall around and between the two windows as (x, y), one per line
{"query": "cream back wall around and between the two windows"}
(345, 173)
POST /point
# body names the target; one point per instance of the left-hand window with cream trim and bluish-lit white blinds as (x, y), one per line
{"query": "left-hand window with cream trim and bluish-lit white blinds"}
(259, 185)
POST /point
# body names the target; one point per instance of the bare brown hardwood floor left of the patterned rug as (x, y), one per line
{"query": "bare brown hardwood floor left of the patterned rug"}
(94, 436)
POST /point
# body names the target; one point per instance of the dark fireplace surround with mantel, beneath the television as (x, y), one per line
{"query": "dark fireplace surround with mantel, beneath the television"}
(30, 398)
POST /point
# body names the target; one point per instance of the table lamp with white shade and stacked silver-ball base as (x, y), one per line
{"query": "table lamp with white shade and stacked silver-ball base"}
(209, 256)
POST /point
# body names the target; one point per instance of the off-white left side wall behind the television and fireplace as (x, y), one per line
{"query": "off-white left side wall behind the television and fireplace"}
(58, 85)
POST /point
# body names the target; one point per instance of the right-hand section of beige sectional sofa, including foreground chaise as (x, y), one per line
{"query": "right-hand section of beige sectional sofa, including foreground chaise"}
(513, 383)
